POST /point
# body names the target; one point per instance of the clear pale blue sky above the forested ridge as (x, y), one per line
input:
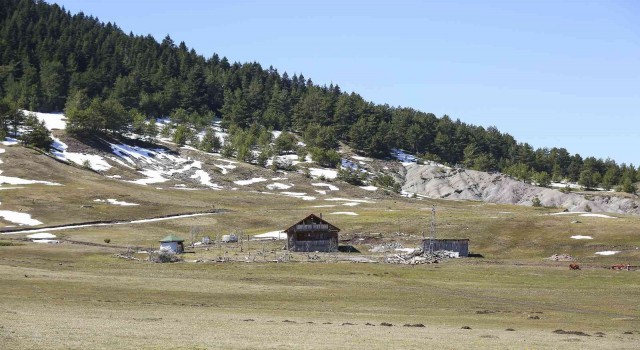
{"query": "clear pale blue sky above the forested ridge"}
(550, 73)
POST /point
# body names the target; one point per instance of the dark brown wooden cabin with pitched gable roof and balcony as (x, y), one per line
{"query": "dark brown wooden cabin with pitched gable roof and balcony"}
(312, 234)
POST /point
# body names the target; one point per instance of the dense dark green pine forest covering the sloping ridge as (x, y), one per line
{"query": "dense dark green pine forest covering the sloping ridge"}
(107, 81)
